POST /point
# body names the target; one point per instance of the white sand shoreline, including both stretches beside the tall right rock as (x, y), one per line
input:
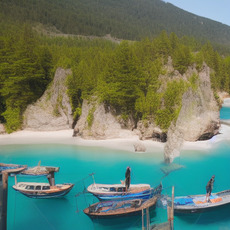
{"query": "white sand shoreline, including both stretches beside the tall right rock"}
(124, 143)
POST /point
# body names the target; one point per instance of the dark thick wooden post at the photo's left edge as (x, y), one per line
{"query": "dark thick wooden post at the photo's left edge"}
(3, 224)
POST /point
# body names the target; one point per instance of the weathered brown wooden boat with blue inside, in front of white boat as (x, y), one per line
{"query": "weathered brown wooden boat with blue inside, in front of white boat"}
(119, 208)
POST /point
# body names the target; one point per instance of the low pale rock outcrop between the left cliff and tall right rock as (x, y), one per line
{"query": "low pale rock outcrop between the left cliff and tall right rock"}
(99, 122)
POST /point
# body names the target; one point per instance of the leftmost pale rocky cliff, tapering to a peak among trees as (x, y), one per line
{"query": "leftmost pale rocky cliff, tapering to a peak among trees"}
(52, 111)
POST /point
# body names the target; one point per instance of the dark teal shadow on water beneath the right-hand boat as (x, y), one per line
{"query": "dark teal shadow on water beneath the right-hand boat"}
(216, 215)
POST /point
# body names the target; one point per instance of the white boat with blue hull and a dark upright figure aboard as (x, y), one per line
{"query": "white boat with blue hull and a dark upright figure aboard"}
(118, 191)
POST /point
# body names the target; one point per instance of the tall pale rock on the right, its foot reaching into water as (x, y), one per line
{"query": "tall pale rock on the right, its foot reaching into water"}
(198, 118)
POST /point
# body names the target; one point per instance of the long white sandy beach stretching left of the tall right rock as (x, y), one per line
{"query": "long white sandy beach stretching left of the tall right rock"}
(65, 137)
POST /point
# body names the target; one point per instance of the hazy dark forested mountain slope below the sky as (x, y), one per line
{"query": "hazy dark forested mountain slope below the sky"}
(124, 19)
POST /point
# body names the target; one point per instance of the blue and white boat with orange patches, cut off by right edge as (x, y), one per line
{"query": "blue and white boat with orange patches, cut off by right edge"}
(197, 203)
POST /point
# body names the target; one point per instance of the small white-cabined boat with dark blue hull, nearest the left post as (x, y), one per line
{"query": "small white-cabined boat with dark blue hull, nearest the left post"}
(42, 190)
